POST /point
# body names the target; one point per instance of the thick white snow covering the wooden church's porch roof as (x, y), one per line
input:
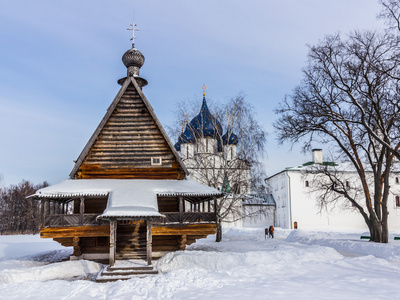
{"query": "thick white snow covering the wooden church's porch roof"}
(127, 197)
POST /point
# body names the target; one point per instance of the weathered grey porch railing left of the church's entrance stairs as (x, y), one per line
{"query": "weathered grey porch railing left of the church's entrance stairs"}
(70, 220)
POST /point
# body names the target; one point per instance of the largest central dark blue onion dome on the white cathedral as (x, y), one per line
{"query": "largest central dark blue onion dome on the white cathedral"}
(205, 124)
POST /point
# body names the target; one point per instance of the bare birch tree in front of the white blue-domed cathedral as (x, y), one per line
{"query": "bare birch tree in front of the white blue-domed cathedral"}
(235, 167)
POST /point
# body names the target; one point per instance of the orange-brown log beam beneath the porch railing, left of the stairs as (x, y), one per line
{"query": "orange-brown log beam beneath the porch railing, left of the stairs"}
(81, 231)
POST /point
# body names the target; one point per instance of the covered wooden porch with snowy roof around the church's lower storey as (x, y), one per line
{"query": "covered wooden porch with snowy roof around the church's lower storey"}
(114, 219)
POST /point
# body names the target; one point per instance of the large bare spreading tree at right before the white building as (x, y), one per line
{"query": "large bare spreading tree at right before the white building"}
(349, 100)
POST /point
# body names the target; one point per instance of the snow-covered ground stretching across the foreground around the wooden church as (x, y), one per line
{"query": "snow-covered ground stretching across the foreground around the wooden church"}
(295, 265)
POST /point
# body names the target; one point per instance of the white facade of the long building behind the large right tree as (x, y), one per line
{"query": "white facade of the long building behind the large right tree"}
(297, 202)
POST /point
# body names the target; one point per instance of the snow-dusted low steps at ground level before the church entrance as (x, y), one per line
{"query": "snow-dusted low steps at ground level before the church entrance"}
(125, 270)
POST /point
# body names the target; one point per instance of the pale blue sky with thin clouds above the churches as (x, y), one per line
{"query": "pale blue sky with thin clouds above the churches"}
(60, 61)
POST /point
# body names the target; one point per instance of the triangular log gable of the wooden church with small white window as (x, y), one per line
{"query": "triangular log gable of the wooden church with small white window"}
(129, 143)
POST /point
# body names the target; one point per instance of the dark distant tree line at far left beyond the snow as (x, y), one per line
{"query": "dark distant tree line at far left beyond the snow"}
(19, 214)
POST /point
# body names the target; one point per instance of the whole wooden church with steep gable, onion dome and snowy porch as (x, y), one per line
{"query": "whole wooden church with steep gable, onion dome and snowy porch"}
(129, 195)
